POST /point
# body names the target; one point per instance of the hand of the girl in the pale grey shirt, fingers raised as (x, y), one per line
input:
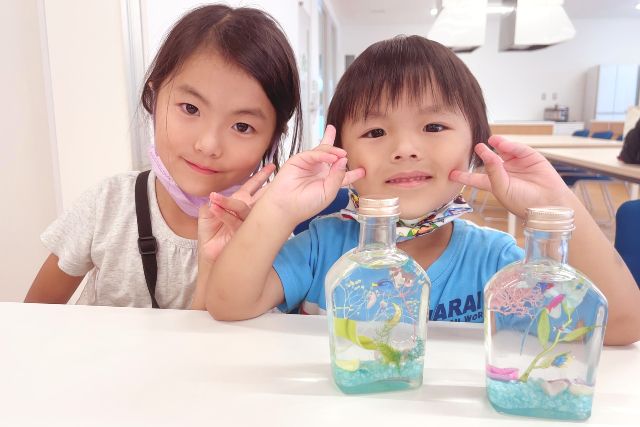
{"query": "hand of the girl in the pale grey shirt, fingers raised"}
(219, 220)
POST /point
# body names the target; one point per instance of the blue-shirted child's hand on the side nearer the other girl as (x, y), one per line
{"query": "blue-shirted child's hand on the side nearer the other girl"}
(308, 182)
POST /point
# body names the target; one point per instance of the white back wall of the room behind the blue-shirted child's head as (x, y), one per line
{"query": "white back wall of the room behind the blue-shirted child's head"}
(513, 82)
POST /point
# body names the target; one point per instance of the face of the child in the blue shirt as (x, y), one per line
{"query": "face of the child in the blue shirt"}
(408, 151)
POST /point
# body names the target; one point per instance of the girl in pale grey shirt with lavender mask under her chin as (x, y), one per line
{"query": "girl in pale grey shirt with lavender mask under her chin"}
(220, 92)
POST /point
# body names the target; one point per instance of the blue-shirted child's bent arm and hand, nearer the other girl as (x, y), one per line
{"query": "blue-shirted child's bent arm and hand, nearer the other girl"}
(242, 283)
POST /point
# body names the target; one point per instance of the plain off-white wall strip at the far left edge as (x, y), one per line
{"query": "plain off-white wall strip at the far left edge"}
(26, 170)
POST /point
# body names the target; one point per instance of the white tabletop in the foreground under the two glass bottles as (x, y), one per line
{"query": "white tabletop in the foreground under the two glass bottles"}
(102, 366)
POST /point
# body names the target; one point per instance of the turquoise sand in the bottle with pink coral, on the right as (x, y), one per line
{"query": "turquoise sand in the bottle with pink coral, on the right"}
(529, 399)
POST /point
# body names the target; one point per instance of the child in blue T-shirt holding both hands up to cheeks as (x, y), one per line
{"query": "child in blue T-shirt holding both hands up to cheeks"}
(409, 115)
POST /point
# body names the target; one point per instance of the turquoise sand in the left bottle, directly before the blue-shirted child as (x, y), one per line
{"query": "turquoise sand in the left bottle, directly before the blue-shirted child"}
(376, 377)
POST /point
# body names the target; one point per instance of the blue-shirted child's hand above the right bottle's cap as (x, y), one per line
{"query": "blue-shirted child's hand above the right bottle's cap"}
(518, 176)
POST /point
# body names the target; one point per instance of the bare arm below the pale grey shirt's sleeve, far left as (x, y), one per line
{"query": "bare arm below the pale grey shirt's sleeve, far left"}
(52, 285)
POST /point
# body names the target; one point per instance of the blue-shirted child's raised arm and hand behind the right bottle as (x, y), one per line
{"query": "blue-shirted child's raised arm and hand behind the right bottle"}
(520, 177)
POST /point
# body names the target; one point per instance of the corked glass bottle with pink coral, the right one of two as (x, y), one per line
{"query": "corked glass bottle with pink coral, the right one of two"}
(544, 326)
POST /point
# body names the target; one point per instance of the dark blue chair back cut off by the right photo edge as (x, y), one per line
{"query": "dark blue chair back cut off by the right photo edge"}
(628, 236)
